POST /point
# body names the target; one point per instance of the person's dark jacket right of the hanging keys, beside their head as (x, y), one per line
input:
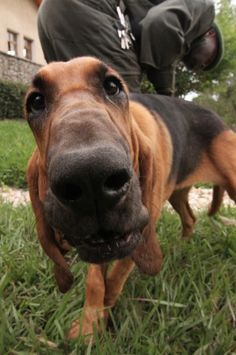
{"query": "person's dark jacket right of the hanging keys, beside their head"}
(165, 32)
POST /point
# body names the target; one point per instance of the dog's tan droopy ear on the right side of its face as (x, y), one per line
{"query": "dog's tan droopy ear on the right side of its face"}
(147, 256)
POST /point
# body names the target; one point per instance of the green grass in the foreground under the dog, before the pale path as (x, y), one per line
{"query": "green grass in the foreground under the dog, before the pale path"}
(189, 308)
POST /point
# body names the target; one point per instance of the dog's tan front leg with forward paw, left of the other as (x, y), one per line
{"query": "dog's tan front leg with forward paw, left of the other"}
(93, 313)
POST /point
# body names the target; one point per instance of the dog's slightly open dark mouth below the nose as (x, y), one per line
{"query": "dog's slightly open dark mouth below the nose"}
(99, 248)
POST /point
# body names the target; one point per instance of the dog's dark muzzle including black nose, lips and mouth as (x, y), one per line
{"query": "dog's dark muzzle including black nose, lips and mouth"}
(94, 200)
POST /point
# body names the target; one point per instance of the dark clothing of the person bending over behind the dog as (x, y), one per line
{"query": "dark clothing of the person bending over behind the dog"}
(163, 29)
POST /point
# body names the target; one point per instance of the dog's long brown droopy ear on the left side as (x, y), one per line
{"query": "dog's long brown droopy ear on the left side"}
(46, 235)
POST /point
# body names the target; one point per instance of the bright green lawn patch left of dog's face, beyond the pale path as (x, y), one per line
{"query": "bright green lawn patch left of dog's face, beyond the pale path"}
(16, 146)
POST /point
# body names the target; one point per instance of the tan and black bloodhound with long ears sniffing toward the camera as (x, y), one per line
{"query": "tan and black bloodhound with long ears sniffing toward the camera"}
(105, 163)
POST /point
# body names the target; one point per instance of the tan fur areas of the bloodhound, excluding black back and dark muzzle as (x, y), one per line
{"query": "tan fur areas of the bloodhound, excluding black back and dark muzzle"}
(152, 153)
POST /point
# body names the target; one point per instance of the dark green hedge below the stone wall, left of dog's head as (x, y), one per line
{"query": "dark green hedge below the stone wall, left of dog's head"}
(11, 99)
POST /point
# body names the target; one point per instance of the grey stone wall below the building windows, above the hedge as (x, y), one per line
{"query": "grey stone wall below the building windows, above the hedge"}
(17, 69)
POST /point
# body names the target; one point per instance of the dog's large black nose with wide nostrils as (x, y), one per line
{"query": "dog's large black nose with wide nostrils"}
(99, 176)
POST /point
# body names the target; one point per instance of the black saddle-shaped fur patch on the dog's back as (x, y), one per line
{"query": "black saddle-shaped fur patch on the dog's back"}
(191, 127)
